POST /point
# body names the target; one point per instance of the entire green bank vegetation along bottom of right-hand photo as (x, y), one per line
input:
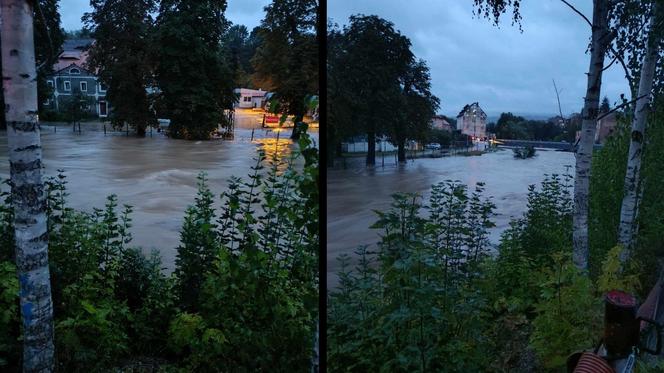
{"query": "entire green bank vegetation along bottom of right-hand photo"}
(434, 299)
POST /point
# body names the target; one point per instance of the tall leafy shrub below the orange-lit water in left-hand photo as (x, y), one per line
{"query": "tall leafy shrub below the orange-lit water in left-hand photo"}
(257, 303)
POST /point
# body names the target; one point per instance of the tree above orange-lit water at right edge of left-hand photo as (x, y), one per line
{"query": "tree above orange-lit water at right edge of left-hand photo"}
(288, 56)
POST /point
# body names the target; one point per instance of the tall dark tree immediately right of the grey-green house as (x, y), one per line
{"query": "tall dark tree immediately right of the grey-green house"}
(121, 56)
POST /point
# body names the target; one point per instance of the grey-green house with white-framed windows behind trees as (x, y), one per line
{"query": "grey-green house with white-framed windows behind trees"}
(72, 80)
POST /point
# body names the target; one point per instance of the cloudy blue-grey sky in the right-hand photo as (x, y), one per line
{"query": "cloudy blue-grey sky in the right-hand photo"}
(501, 68)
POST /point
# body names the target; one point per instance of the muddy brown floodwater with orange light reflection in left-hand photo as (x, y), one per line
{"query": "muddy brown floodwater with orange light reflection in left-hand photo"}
(155, 175)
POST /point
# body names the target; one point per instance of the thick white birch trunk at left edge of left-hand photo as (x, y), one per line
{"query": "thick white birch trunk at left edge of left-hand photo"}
(28, 195)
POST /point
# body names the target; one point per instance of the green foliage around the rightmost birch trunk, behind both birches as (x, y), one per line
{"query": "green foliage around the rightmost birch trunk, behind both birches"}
(609, 165)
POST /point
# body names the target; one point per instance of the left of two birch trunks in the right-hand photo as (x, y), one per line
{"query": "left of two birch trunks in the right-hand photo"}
(599, 44)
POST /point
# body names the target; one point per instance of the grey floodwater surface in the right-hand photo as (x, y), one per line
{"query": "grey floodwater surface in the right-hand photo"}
(353, 193)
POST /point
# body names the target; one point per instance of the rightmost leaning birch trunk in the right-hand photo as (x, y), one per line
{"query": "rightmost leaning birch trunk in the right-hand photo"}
(629, 210)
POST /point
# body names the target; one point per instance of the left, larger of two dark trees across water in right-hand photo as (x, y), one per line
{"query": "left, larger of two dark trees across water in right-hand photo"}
(366, 74)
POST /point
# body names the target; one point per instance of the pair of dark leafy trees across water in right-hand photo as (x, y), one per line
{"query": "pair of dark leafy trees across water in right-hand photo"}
(367, 56)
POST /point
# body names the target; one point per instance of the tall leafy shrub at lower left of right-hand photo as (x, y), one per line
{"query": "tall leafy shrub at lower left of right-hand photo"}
(413, 305)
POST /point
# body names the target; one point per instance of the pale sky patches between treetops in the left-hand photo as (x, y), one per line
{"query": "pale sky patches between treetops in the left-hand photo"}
(244, 12)
